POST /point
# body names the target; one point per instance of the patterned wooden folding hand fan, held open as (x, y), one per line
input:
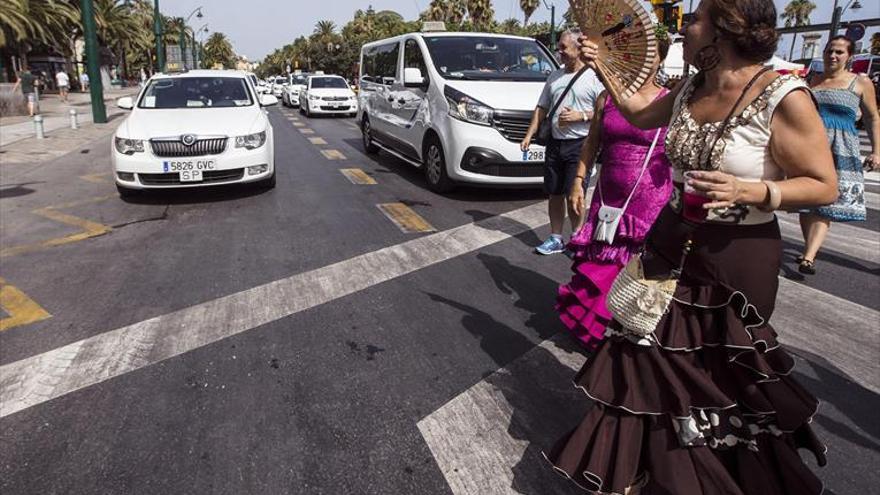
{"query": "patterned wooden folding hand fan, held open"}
(624, 31)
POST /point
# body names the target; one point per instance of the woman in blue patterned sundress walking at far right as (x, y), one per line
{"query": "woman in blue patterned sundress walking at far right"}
(841, 94)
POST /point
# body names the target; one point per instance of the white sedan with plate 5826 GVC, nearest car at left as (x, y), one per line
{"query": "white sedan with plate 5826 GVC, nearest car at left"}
(194, 129)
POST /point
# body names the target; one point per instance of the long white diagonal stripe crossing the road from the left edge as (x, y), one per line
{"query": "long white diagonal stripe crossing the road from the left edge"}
(37, 379)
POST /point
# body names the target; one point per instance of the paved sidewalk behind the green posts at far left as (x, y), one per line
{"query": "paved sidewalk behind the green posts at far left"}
(56, 114)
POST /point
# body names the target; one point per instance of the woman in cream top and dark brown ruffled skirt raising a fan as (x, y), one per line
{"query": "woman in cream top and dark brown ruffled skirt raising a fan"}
(693, 392)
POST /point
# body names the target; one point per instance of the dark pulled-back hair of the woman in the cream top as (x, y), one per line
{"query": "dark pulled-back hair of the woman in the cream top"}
(749, 24)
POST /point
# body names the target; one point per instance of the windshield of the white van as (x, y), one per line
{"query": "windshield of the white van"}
(489, 58)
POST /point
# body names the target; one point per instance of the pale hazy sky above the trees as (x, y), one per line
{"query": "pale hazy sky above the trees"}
(257, 27)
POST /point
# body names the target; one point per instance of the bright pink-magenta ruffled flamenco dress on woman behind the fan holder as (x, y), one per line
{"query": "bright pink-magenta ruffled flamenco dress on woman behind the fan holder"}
(581, 302)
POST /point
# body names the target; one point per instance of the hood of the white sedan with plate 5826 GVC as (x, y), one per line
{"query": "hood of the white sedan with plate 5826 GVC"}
(146, 124)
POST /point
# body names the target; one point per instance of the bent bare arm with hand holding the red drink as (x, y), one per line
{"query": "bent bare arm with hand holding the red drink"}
(799, 145)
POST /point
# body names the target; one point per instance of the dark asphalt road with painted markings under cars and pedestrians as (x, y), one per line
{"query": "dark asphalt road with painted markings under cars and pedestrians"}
(299, 341)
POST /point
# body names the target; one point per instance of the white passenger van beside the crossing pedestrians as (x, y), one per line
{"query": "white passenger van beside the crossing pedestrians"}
(455, 104)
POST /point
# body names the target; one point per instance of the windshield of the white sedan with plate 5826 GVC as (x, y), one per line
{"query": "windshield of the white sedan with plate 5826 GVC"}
(196, 92)
